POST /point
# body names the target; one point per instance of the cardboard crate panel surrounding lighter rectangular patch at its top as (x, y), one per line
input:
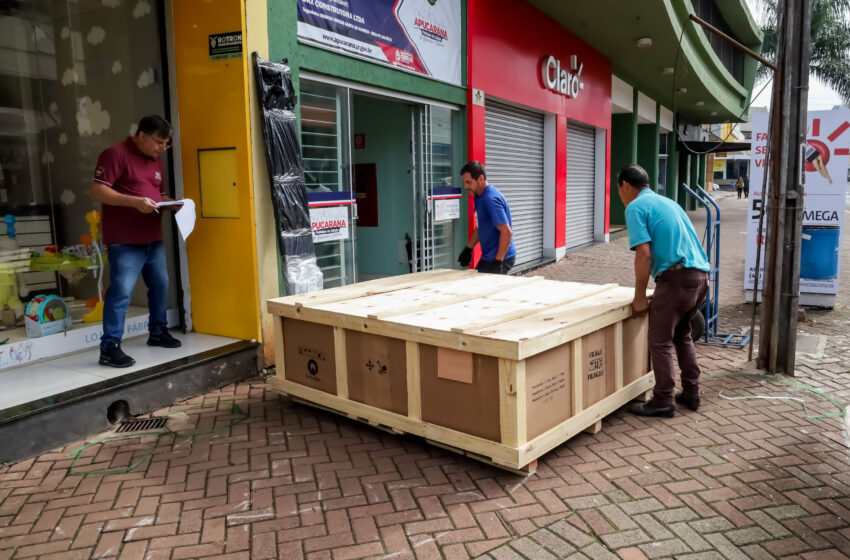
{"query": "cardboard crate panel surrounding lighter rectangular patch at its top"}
(471, 408)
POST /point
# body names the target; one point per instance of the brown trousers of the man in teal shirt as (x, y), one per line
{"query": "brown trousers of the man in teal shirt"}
(678, 295)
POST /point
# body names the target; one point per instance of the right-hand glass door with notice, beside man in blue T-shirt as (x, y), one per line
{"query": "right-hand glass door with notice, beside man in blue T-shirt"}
(436, 199)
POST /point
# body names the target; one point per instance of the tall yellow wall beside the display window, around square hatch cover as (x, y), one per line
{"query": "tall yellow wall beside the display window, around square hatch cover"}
(212, 100)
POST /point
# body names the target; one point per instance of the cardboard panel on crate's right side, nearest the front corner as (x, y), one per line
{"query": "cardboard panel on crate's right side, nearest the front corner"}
(548, 389)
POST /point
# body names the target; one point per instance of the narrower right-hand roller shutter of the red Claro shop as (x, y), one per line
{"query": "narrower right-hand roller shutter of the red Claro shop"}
(581, 181)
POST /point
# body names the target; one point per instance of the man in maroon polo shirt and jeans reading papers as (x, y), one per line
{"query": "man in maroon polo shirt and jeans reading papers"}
(128, 181)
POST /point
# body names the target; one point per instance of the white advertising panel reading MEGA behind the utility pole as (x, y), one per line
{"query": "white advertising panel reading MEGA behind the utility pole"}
(827, 156)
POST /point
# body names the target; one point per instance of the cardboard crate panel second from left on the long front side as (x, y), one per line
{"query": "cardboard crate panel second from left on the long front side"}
(377, 371)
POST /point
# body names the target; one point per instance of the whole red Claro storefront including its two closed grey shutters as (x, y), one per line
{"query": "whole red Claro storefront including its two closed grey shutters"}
(540, 119)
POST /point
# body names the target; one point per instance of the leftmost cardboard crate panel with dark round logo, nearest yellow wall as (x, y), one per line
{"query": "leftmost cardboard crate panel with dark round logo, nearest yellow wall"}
(308, 351)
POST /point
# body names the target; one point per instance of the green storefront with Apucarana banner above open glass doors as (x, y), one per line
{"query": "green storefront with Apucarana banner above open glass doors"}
(381, 112)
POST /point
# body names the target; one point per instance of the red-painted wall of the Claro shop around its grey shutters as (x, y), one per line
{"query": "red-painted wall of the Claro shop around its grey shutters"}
(518, 57)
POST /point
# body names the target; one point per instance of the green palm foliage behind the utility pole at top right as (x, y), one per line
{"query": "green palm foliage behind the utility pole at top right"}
(830, 42)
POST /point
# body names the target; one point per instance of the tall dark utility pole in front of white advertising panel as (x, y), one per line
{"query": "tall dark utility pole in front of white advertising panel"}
(784, 196)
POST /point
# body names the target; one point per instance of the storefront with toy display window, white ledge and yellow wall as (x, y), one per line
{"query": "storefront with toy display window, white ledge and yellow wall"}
(75, 78)
